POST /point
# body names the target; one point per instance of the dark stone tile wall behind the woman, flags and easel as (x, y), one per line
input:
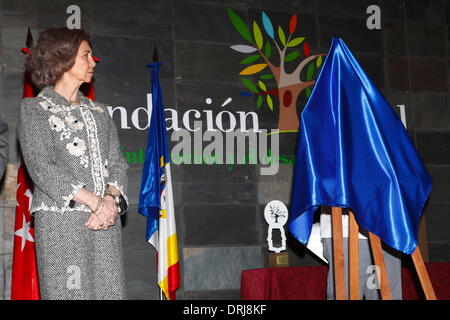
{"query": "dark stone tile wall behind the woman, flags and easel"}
(219, 208)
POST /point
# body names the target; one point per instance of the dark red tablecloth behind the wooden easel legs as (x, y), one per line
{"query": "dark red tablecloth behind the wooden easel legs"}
(309, 283)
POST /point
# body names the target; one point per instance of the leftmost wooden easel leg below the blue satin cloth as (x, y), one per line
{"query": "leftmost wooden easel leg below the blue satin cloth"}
(338, 254)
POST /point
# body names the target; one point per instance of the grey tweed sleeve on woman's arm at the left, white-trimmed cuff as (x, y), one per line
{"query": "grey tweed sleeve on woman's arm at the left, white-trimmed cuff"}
(46, 170)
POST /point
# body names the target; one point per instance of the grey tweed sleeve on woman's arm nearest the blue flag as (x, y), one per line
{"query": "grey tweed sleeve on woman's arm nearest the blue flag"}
(117, 165)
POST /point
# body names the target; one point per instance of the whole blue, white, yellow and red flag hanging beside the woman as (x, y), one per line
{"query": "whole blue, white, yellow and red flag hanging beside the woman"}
(156, 197)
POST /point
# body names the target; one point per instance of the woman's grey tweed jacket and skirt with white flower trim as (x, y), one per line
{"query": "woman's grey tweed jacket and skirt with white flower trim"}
(66, 148)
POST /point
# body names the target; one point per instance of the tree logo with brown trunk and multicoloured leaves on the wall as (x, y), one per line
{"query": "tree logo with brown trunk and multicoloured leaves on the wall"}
(289, 86)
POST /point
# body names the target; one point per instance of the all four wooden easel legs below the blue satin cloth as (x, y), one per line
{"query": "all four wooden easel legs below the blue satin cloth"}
(375, 243)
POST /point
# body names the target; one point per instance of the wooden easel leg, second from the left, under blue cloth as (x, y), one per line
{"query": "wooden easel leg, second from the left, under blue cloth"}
(353, 253)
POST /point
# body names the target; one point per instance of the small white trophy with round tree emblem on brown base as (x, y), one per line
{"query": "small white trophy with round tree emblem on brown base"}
(276, 215)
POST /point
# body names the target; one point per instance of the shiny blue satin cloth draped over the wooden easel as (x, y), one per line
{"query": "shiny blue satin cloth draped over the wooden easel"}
(354, 152)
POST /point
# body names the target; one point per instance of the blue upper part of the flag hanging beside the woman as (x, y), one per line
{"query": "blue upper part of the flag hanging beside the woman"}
(152, 182)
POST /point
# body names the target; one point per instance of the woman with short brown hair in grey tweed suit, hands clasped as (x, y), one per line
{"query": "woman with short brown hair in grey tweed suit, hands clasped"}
(71, 150)
